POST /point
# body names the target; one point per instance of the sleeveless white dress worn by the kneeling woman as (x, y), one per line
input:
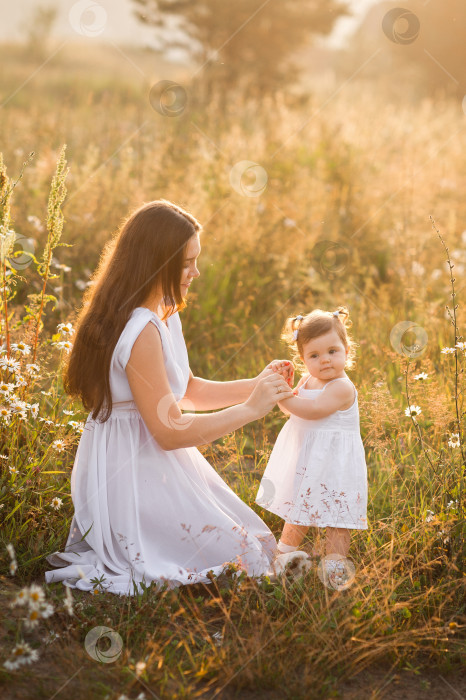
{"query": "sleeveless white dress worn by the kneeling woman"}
(154, 515)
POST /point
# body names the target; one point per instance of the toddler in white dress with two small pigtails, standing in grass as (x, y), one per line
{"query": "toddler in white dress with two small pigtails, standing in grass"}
(316, 474)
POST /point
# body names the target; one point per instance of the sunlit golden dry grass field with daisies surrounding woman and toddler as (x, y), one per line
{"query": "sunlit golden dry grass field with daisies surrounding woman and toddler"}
(351, 176)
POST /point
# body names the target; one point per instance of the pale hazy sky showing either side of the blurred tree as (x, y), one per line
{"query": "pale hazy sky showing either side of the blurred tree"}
(118, 20)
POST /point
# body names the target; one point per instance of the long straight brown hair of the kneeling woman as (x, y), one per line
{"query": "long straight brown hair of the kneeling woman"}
(147, 250)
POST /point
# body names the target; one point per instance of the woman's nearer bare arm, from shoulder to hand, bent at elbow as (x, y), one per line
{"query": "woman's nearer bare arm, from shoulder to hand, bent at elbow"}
(158, 407)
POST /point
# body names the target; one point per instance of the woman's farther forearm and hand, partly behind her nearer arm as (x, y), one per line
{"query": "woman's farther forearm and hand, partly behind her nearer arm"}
(207, 395)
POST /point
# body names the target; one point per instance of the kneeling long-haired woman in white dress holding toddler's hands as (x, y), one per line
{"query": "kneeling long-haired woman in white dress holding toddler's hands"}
(148, 506)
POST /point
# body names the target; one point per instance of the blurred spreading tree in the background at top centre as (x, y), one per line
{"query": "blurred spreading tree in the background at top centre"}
(245, 43)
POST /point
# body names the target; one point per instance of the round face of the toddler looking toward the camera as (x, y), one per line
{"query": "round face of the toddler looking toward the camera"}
(325, 356)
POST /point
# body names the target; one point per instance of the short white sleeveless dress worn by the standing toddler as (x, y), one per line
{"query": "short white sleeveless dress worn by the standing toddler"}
(317, 473)
